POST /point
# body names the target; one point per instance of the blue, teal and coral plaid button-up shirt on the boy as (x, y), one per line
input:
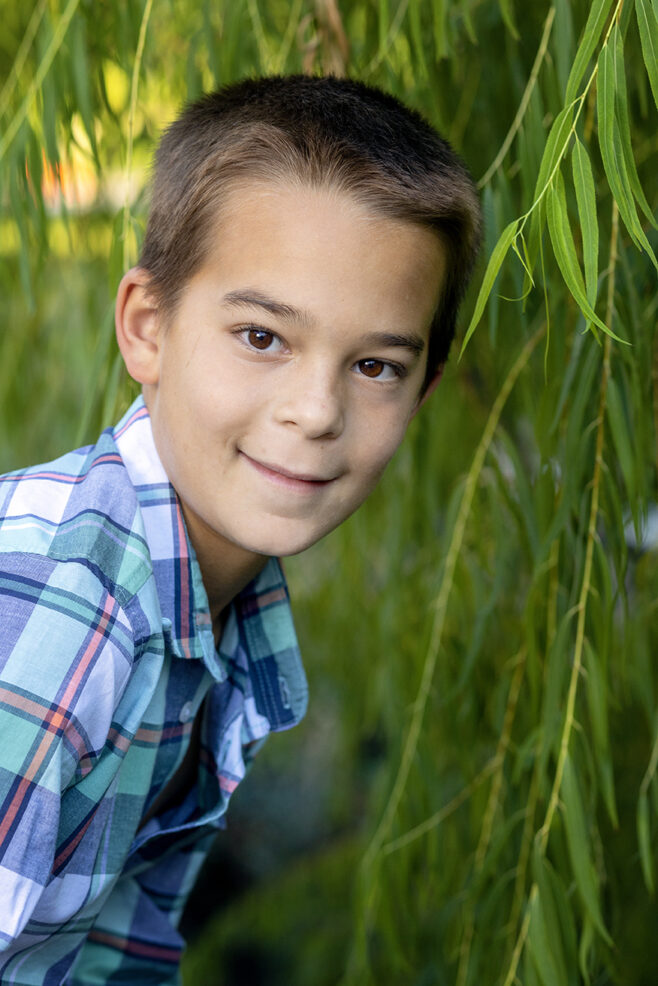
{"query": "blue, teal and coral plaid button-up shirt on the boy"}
(106, 654)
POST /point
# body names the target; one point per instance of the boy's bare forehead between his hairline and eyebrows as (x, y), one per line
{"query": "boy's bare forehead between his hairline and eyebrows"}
(313, 247)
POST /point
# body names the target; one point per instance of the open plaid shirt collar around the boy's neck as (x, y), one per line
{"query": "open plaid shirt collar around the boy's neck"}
(259, 633)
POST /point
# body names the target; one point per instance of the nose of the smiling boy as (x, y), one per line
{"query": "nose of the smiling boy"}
(313, 402)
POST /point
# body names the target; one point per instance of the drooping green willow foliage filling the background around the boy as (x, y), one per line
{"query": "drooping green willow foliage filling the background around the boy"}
(480, 637)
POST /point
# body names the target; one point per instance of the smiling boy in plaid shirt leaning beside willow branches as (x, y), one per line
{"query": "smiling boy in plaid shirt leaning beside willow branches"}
(308, 245)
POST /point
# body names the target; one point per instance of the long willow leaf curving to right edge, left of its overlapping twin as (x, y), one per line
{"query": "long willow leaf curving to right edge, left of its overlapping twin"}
(611, 150)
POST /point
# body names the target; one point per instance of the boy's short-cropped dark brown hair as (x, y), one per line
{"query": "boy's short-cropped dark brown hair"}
(319, 132)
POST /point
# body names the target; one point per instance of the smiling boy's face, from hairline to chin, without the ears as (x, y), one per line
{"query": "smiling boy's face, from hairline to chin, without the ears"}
(294, 362)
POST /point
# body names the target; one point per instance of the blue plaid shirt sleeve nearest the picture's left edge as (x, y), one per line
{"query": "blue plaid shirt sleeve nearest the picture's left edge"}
(58, 689)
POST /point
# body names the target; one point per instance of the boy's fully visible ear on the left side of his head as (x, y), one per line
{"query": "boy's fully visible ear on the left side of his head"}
(138, 327)
